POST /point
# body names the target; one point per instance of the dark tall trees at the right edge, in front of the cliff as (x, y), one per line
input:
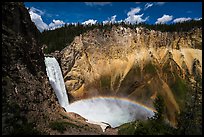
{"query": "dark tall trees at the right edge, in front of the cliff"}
(190, 118)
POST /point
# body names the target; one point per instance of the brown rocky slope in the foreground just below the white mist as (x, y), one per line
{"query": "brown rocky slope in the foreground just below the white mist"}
(73, 124)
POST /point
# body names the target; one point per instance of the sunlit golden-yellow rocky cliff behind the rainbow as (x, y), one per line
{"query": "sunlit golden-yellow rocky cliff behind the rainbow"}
(133, 63)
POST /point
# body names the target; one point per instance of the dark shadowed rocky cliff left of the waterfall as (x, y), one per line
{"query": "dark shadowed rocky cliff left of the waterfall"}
(28, 103)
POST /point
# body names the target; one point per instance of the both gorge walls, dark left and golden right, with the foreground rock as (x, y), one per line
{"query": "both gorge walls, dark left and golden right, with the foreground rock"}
(134, 64)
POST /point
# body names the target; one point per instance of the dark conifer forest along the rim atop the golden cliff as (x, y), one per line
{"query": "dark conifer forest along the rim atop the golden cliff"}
(60, 38)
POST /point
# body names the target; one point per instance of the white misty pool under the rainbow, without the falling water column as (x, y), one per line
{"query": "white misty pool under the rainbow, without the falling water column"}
(114, 111)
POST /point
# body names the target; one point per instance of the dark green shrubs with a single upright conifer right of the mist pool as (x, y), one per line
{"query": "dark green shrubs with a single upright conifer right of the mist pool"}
(153, 126)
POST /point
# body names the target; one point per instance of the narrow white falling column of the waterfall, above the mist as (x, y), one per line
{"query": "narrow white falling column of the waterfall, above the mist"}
(56, 80)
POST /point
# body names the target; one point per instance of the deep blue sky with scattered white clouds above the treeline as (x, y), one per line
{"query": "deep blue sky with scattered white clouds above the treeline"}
(52, 15)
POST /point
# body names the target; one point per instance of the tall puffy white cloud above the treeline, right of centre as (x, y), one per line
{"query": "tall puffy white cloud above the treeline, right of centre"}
(133, 18)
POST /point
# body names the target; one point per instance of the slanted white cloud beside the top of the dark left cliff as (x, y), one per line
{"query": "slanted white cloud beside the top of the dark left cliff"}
(36, 18)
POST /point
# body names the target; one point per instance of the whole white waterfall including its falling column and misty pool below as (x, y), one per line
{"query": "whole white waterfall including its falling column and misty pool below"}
(113, 111)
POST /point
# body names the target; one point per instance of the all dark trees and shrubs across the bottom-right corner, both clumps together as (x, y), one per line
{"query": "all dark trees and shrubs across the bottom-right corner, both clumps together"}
(189, 120)
